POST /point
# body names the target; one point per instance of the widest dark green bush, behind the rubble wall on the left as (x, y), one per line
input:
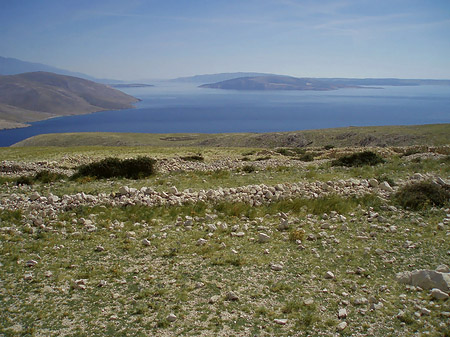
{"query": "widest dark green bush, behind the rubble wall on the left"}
(116, 168)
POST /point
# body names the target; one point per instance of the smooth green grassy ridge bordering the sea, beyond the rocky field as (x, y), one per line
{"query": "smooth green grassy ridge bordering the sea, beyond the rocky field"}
(435, 134)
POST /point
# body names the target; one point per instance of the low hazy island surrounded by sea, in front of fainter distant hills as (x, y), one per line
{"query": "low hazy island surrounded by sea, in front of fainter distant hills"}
(276, 82)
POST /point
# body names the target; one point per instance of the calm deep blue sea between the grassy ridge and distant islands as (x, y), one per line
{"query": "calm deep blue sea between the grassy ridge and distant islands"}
(179, 108)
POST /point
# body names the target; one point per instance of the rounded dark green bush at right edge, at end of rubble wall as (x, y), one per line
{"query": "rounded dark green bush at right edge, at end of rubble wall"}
(421, 195)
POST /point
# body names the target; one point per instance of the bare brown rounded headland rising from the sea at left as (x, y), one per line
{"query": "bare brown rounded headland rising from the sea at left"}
(35, 96)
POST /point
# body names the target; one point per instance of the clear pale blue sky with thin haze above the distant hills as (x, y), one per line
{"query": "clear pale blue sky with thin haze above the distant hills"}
(157, 39)
